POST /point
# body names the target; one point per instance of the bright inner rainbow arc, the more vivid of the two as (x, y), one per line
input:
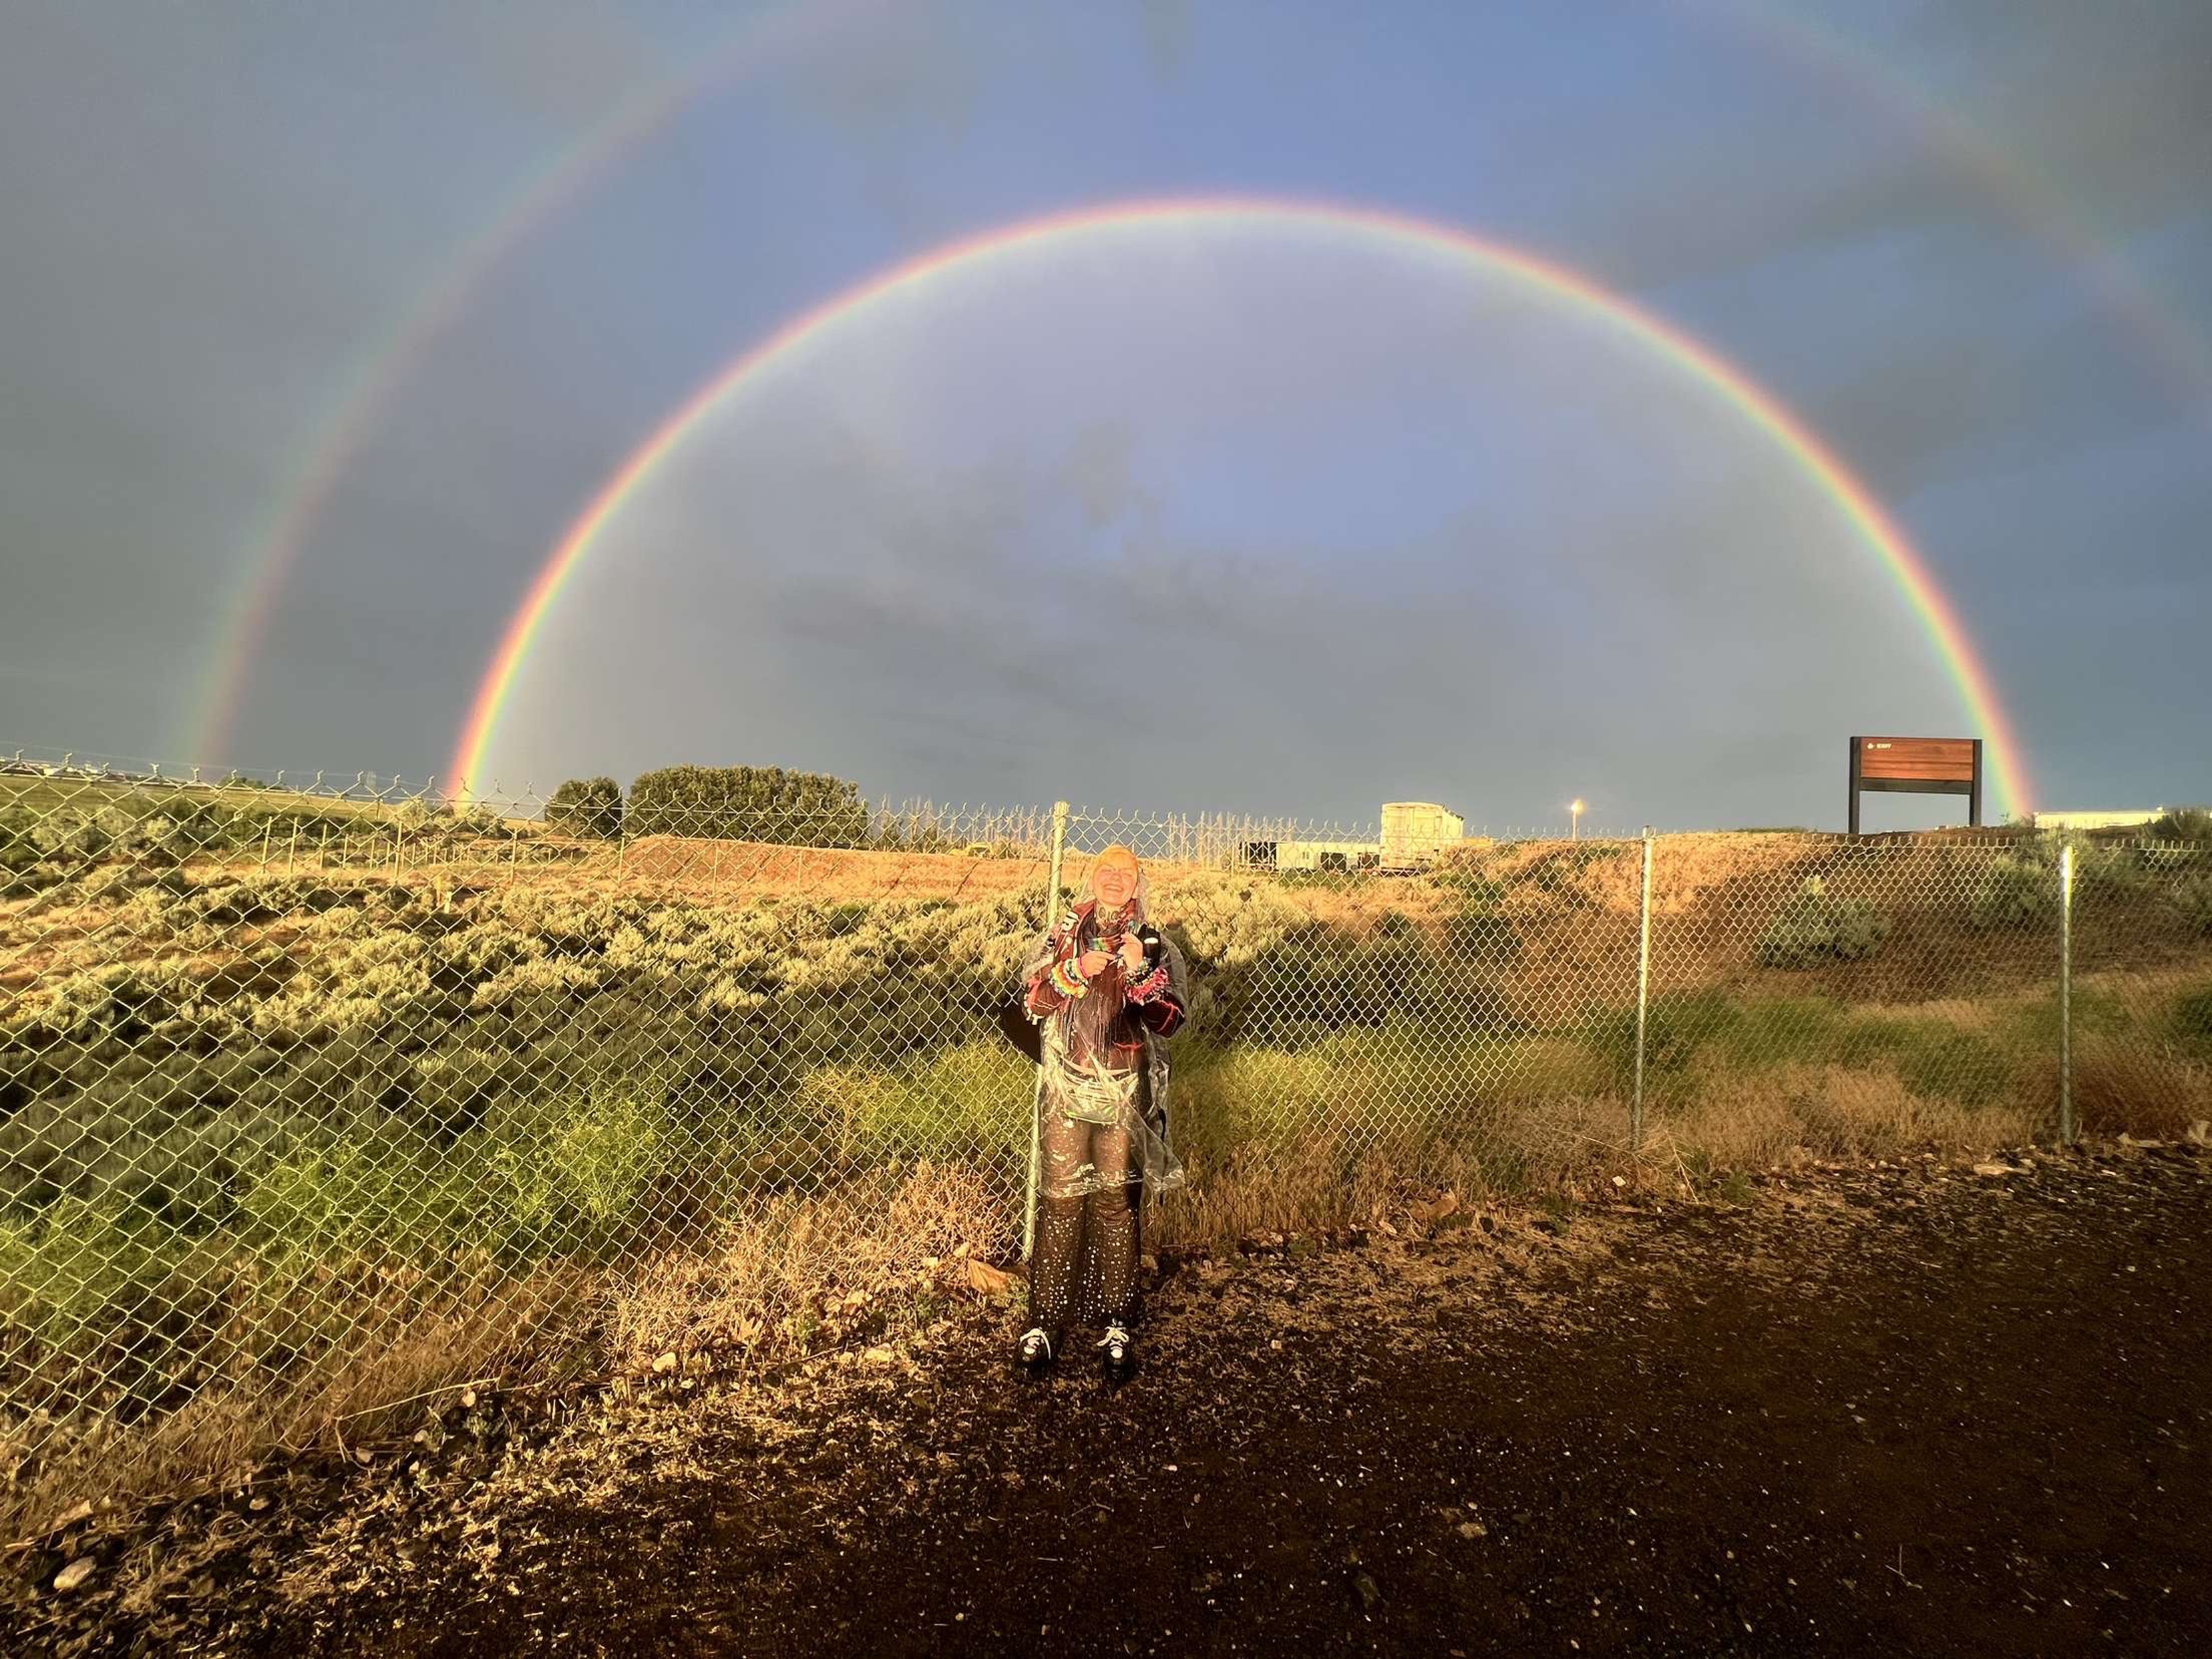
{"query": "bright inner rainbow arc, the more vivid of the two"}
(1149, 218)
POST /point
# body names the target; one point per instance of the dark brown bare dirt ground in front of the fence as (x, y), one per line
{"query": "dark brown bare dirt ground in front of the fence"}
(1877, 1410)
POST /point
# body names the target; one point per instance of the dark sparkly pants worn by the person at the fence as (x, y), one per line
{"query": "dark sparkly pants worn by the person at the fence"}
(1083, 1266)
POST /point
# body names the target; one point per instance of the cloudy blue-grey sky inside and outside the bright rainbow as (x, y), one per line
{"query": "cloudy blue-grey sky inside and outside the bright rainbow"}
(1324, 525)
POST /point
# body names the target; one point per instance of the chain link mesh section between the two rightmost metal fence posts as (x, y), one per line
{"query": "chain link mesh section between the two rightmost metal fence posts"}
(1866, 994)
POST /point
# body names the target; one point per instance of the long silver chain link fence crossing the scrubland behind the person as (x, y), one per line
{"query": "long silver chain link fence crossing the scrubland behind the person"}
(313, 1098)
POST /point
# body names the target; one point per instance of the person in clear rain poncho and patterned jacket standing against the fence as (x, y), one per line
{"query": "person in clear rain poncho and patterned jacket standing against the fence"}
(1107, 990)
